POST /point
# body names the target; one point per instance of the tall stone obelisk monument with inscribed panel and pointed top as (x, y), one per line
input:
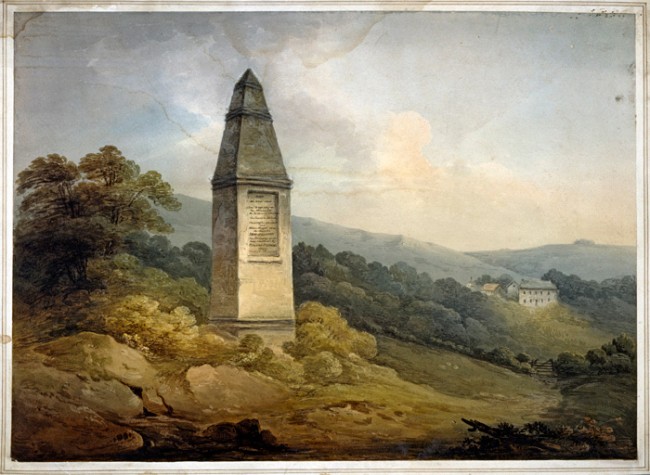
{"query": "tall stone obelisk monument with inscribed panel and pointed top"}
(252, 287)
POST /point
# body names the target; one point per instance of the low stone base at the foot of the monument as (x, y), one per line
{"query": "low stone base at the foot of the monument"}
(273, 332)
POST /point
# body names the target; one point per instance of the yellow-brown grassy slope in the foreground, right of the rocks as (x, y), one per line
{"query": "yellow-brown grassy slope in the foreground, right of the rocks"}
(410, 394)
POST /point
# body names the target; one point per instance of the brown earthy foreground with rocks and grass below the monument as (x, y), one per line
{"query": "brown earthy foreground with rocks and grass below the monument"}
(88, 397)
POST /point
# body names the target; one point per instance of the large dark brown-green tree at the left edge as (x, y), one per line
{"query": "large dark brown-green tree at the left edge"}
(72, 213)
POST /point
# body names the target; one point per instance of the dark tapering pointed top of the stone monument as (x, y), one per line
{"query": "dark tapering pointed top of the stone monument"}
(249, 147)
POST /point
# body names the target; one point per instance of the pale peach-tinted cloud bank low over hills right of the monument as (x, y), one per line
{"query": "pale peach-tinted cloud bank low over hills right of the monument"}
(467, 206)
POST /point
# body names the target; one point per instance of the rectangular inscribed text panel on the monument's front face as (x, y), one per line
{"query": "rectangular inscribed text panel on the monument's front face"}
(262, 214)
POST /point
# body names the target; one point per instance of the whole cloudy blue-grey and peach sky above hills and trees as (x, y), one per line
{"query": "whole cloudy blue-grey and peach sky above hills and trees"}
(471, 130)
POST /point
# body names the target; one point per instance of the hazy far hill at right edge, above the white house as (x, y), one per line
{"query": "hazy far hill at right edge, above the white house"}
(587, 260)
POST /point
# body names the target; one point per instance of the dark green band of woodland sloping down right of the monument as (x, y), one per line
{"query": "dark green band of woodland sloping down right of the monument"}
(396, 300)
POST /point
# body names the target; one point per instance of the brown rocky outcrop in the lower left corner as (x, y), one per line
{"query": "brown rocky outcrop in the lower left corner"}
(88, 397)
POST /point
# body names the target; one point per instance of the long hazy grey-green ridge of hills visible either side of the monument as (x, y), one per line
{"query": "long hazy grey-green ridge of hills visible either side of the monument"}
(587, 260)
